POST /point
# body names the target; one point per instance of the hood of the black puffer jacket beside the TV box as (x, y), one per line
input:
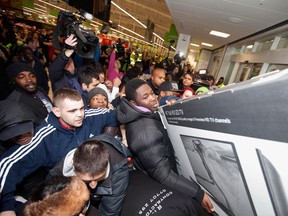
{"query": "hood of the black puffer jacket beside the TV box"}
(127, 113)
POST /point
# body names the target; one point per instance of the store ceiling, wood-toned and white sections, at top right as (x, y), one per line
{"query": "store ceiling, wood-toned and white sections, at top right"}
(197, 18)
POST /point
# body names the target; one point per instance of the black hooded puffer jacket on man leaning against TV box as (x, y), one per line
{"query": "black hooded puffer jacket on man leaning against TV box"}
(152, 149)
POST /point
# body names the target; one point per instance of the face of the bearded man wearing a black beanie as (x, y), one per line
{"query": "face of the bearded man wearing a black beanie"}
(26, 80)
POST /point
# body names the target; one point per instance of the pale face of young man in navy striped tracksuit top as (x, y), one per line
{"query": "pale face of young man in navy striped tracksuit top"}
(70, 112)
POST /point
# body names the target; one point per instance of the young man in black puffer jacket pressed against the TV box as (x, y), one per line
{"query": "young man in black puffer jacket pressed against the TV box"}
(151, 147)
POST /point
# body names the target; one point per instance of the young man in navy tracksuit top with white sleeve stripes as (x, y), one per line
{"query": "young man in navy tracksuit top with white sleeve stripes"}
(64, 129)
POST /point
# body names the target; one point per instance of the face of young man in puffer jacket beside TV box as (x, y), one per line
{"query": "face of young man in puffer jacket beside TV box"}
(145, 97)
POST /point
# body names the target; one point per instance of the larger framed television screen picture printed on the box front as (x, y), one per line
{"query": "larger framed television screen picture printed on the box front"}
(217, 169)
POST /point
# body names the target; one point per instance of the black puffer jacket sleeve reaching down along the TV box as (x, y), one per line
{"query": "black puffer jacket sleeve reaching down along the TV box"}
(154, 158)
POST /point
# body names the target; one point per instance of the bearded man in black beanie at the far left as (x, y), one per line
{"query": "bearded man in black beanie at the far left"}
(26, 92)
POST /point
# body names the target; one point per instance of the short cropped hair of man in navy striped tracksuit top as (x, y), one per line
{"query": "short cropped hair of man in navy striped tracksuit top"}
(65, 93)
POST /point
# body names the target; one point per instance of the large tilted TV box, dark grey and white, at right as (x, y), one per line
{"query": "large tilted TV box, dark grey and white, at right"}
(234, 143)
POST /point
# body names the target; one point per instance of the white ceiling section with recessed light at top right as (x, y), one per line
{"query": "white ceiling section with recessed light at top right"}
(198, 17)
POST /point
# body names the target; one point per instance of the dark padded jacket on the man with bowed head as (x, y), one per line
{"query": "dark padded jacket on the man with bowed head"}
(111, 191)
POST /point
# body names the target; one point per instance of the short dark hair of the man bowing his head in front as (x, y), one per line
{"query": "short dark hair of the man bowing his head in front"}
(91, 157)
